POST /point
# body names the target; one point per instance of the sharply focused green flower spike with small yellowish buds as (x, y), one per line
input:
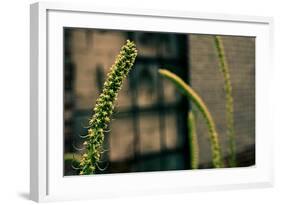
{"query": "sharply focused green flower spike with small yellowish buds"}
(104, 108)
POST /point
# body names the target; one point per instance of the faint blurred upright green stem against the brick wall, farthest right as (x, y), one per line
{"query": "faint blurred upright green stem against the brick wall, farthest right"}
(229, 101)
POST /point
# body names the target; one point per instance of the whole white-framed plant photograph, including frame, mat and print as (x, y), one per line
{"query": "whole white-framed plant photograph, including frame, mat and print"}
(127, 102)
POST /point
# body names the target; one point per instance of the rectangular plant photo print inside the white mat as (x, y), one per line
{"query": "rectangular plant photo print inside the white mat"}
(138, 101)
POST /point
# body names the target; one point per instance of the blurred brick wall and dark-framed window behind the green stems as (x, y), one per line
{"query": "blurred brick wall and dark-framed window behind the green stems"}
(149, 127)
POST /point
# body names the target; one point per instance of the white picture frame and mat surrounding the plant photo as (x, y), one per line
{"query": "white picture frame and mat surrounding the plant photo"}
(47, 182)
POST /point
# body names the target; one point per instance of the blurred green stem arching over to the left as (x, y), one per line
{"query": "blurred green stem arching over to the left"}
(195, 98)
